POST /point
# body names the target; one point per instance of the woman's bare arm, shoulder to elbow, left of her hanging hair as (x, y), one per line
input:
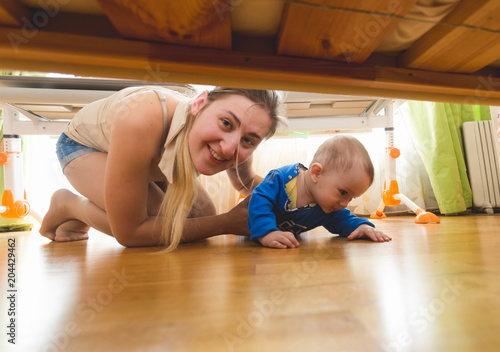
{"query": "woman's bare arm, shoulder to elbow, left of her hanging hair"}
(135, 143)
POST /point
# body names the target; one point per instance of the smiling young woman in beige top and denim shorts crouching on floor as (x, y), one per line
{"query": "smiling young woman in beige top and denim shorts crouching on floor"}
(135, 156)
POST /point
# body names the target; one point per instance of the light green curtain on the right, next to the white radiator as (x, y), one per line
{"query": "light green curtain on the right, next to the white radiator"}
(437, 132)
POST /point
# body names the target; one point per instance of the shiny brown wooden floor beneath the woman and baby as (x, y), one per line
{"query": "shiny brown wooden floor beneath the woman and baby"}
(433, 288)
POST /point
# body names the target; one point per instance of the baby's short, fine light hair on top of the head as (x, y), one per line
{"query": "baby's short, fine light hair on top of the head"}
(341, 152)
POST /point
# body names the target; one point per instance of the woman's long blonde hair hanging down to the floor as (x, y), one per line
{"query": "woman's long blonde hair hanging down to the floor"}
(181, 193)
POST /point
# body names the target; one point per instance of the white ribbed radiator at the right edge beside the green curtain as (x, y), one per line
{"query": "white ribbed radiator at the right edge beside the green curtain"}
(482, 152)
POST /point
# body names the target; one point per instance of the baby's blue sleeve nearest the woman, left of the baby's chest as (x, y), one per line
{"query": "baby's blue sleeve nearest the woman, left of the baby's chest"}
(263, 202)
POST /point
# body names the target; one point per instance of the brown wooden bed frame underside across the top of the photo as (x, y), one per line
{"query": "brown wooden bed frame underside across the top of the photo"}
(316, 47)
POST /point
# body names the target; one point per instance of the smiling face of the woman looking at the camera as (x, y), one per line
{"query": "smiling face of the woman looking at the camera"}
(225, 132)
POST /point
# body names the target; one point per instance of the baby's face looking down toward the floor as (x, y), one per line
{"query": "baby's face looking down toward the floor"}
(334, 190)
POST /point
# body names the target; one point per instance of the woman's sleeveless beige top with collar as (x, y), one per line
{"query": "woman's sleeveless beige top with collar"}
(89, 126)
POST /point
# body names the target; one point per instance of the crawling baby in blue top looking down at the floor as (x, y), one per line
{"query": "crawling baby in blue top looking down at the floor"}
(293, 199)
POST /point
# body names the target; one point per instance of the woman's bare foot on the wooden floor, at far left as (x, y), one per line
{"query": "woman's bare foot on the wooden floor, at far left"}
(57, 225)
